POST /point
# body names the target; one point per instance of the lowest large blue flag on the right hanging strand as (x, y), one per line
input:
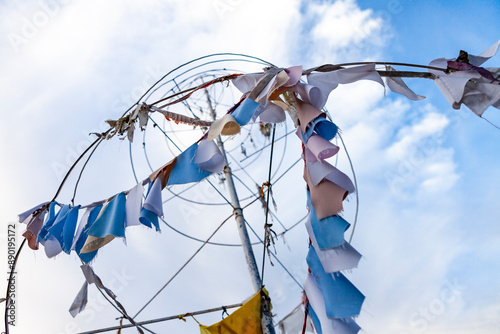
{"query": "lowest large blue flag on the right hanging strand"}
(342, 298)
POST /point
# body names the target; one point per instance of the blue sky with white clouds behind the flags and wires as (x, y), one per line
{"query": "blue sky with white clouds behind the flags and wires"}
(427, 226)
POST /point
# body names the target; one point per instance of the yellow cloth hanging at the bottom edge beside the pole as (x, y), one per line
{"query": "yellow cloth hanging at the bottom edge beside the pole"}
(245, 320)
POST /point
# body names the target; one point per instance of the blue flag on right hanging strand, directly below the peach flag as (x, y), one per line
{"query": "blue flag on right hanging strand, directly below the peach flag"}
(329, 231)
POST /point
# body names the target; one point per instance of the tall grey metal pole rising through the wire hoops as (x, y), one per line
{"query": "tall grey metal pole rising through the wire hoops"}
(267, 326)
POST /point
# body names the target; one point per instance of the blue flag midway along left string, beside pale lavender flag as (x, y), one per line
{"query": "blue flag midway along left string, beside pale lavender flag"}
(185, 170)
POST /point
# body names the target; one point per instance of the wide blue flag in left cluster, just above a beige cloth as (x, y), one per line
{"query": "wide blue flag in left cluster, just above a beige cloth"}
(112, 220)
